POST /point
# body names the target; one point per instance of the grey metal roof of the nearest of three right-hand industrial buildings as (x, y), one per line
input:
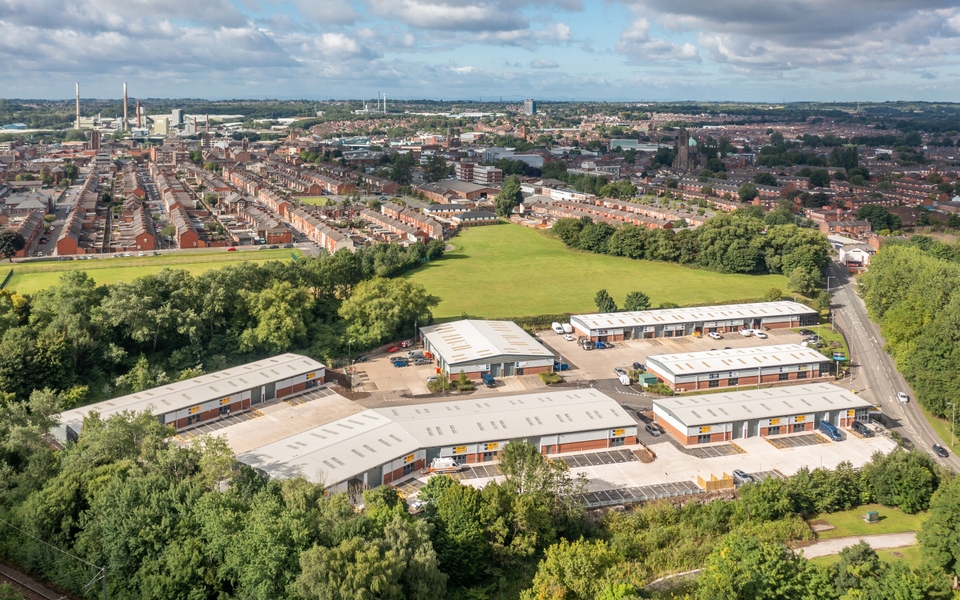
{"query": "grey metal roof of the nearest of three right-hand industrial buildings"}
(725, 407)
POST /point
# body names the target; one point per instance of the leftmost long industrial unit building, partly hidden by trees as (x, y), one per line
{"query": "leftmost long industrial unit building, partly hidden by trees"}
(206, 397)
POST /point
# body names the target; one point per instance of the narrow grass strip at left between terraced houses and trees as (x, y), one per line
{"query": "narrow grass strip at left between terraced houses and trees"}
(32, 277)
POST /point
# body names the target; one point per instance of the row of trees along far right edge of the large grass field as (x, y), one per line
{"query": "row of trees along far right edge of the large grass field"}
(726, 243)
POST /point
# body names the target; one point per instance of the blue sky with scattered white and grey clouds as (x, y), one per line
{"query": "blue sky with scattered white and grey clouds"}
(617, 50)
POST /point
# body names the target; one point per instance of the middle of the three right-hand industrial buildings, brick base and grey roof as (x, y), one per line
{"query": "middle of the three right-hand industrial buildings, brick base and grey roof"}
(738, 367)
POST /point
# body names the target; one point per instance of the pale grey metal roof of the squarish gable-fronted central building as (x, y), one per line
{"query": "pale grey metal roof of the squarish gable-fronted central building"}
(470, 341)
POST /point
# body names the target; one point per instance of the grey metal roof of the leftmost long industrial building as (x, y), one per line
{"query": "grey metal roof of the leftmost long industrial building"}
(183, 394)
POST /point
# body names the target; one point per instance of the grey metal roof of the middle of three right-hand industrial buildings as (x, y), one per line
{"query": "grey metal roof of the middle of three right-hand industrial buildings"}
(737, 359)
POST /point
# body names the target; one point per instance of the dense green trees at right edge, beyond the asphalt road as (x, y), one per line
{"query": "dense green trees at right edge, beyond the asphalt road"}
(912, 290)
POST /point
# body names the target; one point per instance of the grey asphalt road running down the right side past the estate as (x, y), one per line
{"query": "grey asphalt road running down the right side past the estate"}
(875, 377)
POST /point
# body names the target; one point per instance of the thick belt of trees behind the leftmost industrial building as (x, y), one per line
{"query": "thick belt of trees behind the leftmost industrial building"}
(105, 340)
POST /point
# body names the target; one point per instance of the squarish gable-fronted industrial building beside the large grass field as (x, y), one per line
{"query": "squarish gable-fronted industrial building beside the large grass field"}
(499, 348)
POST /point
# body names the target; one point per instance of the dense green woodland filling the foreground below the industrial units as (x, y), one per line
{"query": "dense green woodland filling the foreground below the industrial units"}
(173, 520)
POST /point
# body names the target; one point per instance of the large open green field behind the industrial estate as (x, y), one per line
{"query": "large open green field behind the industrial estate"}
(511, 271)
